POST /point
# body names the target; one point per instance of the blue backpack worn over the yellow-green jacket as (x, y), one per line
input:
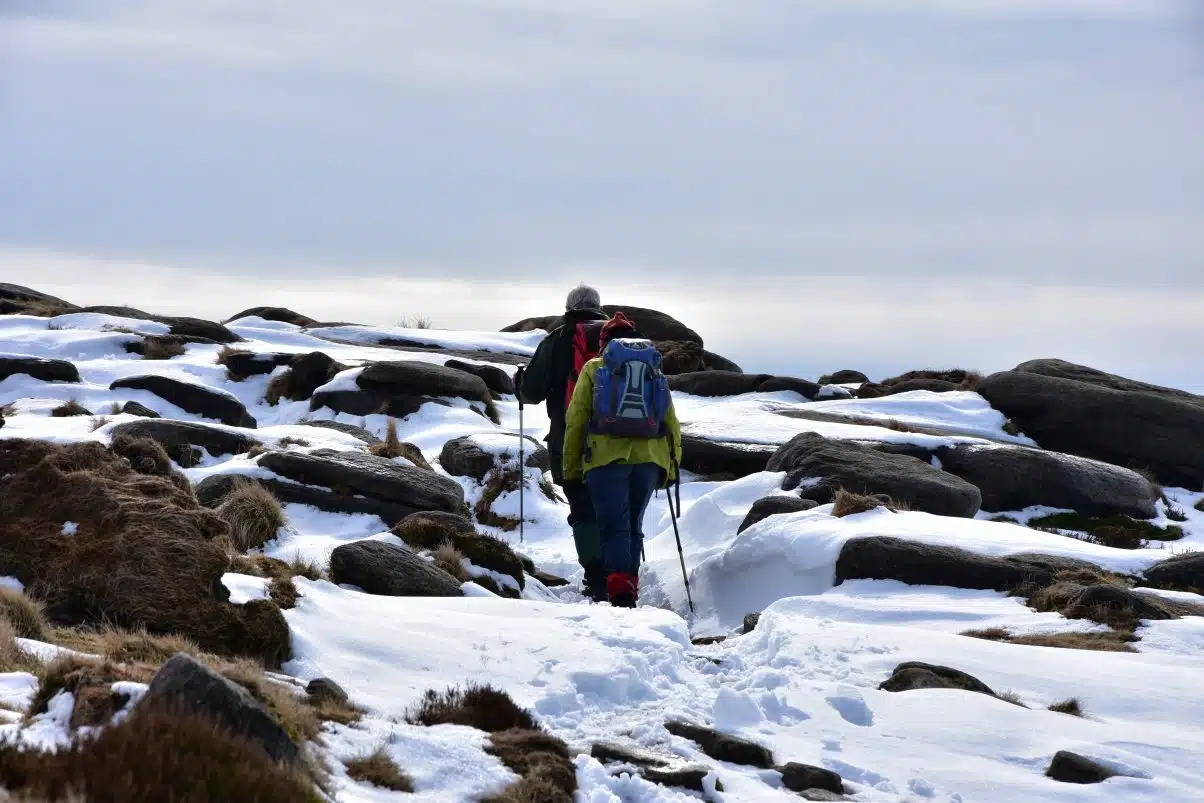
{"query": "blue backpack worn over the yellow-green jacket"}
(631, 397)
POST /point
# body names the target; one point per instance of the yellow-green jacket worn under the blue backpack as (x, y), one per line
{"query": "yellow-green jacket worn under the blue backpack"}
(586, 451)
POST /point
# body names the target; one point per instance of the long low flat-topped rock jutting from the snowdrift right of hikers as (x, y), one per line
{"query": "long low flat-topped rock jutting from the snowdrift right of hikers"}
(878, 558)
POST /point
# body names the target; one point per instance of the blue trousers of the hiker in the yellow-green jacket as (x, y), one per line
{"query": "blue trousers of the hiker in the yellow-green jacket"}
(621, 493)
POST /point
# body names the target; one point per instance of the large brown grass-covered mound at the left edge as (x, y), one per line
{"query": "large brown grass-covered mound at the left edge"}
(144, 553)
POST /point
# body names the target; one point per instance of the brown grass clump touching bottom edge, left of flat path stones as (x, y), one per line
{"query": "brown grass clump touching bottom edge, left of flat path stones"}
(542, 761)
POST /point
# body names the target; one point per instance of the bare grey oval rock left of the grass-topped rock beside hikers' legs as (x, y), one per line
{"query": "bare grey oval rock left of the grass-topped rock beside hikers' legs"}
(391, 571)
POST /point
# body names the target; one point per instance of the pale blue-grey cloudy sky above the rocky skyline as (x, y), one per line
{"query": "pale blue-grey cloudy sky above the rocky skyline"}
(812, 186)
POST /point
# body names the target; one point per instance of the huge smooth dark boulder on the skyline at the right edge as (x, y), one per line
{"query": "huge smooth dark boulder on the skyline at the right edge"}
(1112, 420)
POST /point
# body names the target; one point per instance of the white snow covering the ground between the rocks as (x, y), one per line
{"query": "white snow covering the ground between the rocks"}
(804, 683)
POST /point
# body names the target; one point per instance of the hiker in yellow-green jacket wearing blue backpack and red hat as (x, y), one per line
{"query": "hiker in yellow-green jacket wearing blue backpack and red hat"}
(624, 439)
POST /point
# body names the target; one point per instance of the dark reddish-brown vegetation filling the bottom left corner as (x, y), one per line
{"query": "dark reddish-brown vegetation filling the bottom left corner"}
(156, 755)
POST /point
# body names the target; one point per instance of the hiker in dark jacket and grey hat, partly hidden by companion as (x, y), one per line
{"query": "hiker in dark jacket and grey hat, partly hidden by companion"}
(548, 380)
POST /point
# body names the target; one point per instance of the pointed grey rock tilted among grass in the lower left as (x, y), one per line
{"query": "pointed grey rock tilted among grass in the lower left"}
(186, 684)
